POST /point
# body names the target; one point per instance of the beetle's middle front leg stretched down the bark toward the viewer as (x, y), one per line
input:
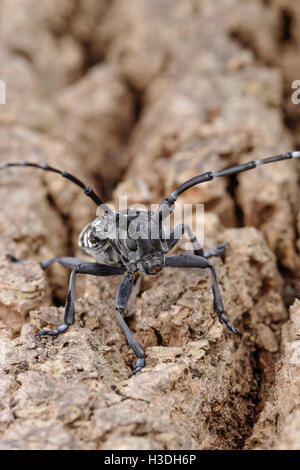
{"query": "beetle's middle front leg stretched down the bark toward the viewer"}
(121, 302)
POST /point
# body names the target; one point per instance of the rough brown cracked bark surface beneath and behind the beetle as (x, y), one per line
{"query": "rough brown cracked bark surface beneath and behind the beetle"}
(135, 99)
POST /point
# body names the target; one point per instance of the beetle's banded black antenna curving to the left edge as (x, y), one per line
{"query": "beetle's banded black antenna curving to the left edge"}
(44, 166)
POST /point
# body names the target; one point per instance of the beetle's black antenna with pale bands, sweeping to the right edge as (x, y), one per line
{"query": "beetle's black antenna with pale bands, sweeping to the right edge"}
(167, 205)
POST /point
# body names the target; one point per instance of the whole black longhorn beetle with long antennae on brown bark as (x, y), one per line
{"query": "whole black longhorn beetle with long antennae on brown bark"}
(120, 254)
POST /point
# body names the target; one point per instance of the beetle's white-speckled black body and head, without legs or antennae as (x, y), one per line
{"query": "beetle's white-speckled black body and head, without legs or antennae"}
(131, 241)
